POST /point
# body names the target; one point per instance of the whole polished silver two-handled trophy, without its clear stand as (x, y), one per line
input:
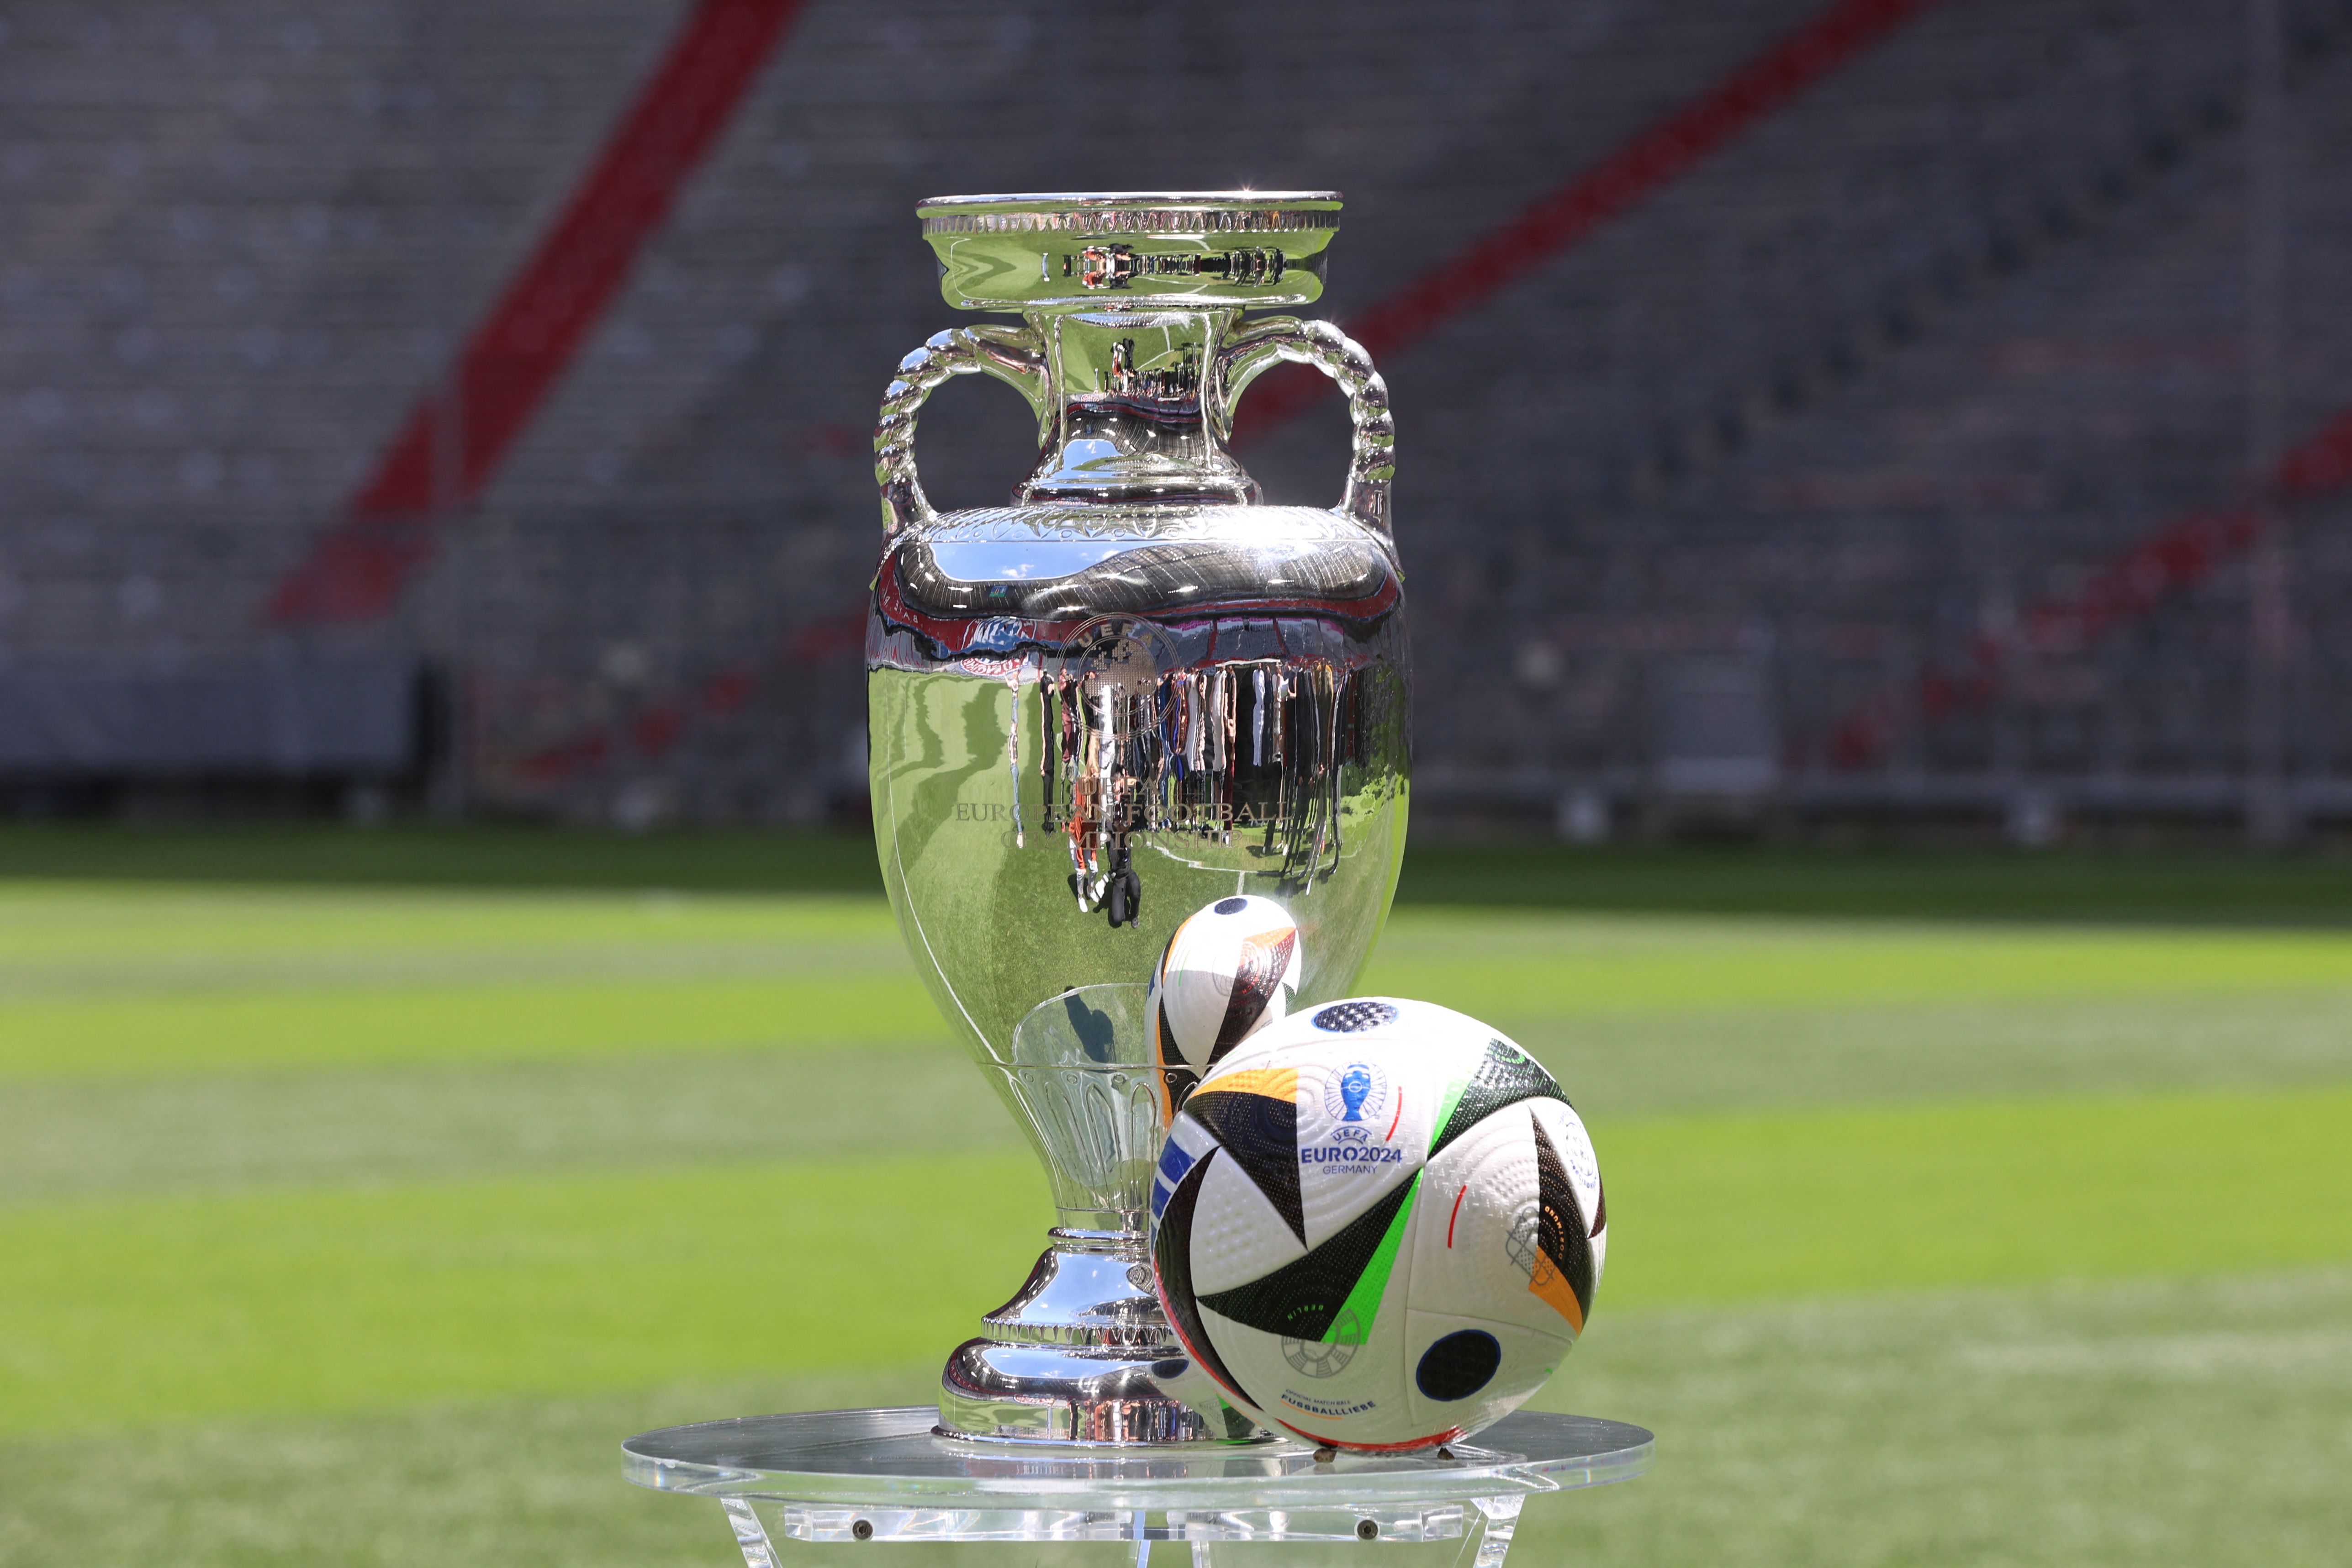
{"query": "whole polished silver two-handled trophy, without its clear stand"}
(1125, 697)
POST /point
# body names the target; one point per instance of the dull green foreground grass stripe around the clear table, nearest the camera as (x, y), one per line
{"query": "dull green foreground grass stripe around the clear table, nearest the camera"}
(2087, 1428)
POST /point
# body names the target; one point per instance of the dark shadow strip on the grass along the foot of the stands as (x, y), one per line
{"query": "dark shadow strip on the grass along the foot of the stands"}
(1662, 878)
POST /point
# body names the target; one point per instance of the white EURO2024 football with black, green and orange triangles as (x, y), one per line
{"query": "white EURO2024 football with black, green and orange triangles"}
(1379, 1226)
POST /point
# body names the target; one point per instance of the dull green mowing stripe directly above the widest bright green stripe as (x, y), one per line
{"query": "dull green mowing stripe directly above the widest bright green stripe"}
(147, 1134)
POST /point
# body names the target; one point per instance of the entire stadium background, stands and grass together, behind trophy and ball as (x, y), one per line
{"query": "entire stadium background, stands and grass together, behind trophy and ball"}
(1819, 415)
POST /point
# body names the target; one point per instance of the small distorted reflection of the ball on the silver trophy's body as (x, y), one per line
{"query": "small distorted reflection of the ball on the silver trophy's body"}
(1229, 972)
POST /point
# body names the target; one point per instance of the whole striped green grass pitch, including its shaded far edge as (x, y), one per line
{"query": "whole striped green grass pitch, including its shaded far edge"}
(359, 1193)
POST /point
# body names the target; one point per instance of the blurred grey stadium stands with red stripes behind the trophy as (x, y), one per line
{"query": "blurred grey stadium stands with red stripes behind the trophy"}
(1859, 410)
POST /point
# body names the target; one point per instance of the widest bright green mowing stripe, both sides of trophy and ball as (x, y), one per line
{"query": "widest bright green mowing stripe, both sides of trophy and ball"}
(323, 1301)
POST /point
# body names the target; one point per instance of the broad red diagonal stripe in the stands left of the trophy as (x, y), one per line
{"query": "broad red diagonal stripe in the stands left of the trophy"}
(523, 347)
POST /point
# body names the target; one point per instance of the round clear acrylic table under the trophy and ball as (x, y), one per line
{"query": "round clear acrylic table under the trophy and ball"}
(888, 1477)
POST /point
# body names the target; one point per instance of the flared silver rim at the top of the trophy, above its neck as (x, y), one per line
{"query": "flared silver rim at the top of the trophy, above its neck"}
(1114, 250)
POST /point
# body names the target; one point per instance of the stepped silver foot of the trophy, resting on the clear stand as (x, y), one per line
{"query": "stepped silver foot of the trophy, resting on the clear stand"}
(1083, 1355)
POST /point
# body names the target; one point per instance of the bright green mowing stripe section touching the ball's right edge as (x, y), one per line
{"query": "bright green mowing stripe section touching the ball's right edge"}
(1718, 1209)
